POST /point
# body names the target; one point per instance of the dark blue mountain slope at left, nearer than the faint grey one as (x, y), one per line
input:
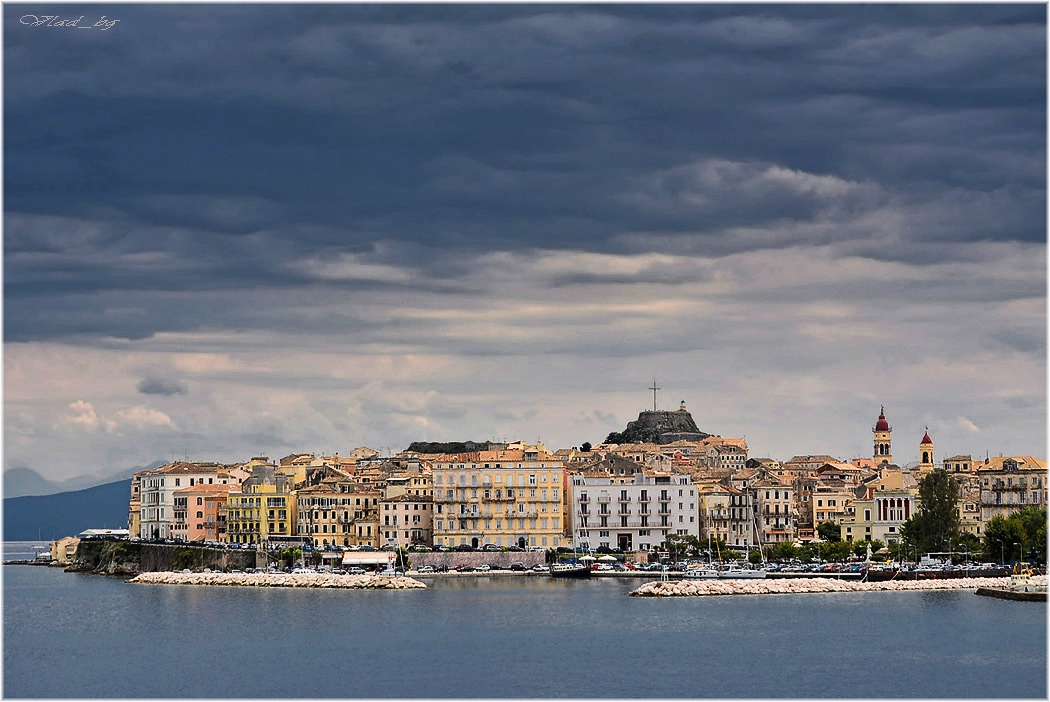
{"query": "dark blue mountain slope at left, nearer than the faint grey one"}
(48, 518)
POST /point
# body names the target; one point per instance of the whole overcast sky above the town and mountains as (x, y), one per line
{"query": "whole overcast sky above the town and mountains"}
(242, 230)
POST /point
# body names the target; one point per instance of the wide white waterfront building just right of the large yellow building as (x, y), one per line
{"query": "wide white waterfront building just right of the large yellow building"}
(634, 517)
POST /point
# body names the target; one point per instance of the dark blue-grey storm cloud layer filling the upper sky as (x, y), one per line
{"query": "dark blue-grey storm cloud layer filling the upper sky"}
(233, 148)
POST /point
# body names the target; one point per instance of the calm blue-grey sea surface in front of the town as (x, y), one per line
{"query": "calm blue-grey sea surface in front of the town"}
(87, 636)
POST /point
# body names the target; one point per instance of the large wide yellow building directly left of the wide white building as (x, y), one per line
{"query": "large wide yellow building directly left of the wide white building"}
(507, 498)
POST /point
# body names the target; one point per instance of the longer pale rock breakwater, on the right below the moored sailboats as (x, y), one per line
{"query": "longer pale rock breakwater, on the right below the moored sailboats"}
(792, 587)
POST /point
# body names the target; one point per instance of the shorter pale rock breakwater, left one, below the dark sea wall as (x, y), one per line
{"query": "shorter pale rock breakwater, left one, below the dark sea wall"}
(282, 581)
